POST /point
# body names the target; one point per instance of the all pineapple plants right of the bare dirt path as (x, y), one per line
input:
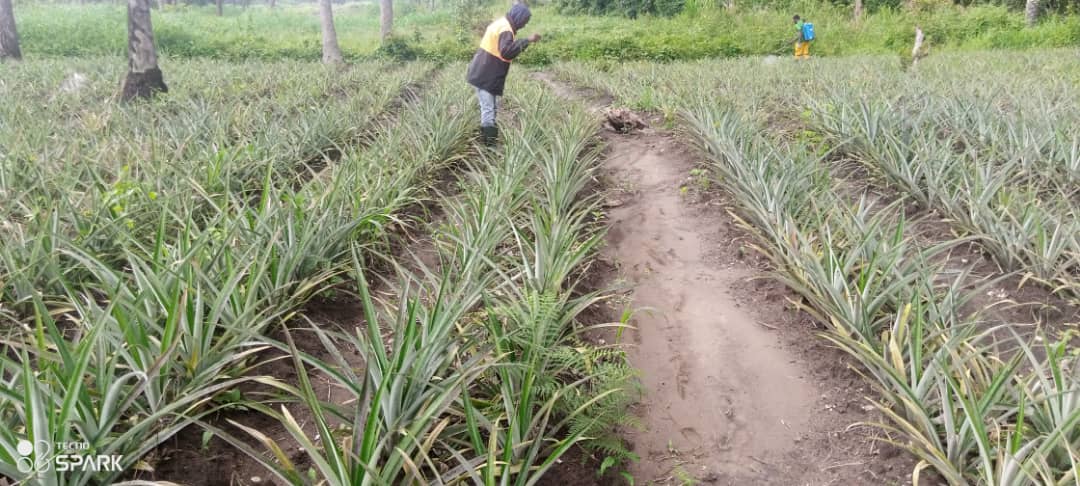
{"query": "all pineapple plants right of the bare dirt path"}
(977, 400)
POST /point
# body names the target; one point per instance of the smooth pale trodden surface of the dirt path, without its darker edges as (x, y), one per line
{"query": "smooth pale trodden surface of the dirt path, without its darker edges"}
(725, 400)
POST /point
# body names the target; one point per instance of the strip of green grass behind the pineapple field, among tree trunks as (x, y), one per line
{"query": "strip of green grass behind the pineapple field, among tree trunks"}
(292, 33)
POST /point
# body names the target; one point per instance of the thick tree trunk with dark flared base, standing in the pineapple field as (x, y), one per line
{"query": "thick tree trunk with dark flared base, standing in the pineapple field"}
(144, 77)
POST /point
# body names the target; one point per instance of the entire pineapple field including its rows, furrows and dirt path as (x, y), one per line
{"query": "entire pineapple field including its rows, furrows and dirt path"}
(846, 271)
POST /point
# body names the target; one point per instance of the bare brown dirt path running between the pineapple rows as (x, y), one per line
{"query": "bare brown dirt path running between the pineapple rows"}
(733, 393)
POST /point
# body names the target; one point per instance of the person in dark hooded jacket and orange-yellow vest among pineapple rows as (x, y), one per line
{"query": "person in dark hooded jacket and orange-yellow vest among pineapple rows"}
(488, 73)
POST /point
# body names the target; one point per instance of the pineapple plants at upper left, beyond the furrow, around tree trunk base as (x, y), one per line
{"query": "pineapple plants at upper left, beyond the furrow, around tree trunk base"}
(99, 172)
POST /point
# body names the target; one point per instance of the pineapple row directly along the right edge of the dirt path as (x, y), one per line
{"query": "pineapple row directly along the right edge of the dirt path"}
(978, 402)
